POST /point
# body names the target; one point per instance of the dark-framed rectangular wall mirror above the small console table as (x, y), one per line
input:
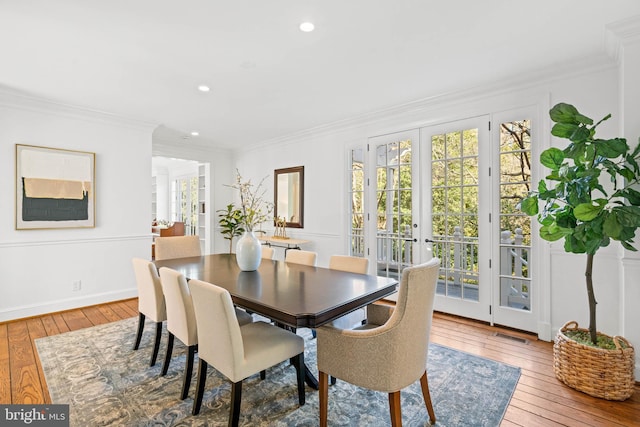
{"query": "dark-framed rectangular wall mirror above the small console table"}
(289, 195)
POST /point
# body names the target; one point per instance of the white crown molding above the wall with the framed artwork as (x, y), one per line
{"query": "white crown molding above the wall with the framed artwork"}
(18, 100)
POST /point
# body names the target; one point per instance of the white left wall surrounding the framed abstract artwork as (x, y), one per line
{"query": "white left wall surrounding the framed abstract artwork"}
(39, 266)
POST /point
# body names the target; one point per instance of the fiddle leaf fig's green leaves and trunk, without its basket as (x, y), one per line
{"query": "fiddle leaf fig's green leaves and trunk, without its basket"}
(575, 205)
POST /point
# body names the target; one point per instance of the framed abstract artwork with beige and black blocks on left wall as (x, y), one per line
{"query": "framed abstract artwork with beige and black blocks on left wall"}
(55, 188)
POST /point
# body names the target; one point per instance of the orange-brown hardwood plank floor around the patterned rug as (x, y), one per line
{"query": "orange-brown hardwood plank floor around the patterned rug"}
(539, 399)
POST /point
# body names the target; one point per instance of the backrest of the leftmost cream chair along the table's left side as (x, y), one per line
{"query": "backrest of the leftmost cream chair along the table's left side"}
(150, 295)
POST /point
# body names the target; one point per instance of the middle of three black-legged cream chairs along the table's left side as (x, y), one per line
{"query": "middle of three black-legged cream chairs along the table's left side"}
(181, 321)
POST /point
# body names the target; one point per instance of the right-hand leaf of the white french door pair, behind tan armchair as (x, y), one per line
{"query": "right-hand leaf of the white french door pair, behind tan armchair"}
(456, 195)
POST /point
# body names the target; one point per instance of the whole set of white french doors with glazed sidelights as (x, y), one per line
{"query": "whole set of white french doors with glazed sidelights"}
(452, 191)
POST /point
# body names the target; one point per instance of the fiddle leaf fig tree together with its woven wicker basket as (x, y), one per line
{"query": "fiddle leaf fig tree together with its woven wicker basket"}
(578, 209)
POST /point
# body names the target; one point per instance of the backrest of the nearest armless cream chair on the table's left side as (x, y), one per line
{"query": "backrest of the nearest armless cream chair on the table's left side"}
(219, 339)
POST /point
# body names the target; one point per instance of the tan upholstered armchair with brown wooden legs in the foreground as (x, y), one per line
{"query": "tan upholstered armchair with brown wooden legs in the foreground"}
(388, 353)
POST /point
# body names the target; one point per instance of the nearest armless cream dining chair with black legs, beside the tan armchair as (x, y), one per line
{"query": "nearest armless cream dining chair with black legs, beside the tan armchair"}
(238, 351)
